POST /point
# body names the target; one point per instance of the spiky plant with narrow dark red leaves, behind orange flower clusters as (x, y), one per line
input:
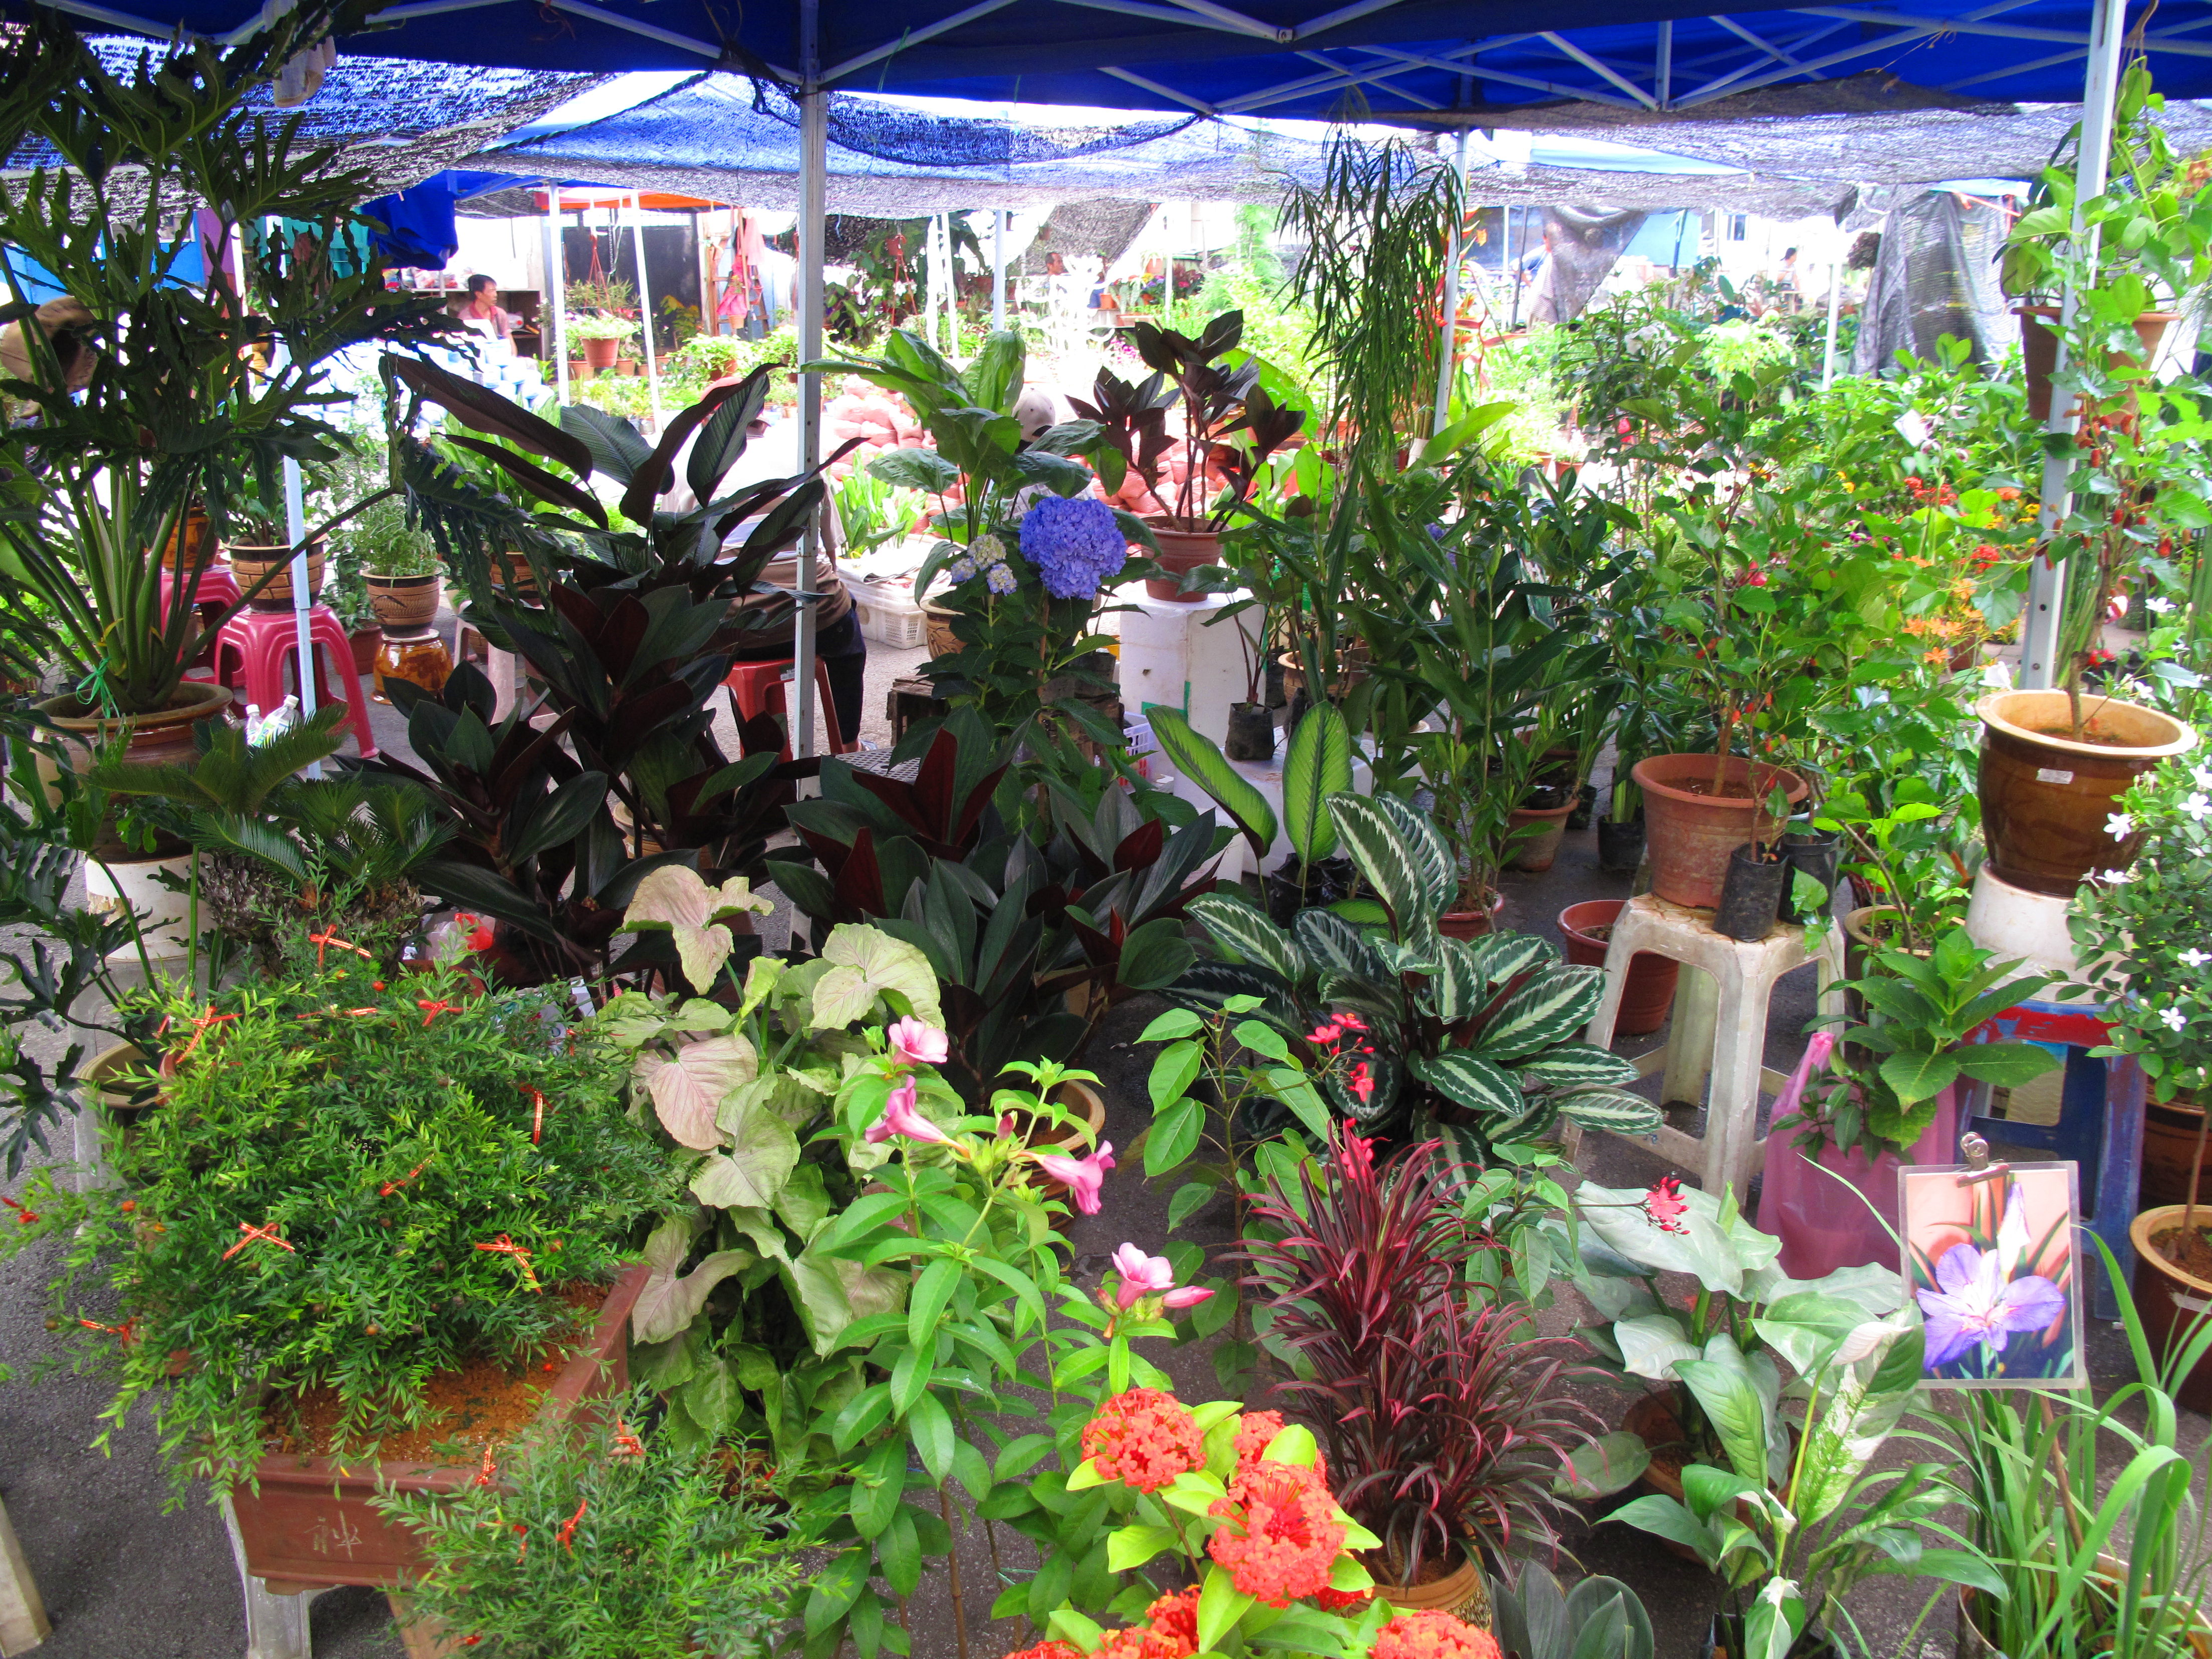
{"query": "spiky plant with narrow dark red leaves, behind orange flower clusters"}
(1446, 1423)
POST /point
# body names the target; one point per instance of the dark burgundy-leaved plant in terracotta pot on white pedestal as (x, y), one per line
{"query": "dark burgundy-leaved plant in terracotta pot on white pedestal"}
(1229, 428)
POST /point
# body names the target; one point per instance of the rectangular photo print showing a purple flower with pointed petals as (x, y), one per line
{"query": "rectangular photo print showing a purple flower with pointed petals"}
(1992, 1297)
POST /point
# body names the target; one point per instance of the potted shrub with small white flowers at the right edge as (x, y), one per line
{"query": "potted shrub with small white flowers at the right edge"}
(2140, 941)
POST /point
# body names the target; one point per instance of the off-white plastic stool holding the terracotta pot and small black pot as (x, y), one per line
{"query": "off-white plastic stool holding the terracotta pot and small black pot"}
(1720, 1030)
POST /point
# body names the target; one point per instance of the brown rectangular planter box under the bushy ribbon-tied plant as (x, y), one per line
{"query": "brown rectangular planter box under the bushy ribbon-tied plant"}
(313, 1525)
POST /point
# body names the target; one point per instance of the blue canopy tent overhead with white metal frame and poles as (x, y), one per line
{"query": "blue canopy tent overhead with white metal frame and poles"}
(1410, 61)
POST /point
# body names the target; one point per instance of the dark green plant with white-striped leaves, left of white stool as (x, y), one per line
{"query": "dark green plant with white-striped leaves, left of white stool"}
(1474, 1041)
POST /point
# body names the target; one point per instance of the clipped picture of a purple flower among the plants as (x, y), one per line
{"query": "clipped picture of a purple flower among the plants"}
(1994, 1266)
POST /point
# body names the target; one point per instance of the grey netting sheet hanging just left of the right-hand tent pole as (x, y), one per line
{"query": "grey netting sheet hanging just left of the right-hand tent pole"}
(1934, 275)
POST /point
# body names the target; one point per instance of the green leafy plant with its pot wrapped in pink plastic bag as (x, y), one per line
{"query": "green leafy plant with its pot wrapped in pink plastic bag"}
(1890, 1100)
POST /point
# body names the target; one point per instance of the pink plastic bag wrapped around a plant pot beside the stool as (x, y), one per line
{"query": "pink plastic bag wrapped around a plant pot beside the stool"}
(1824, 1227)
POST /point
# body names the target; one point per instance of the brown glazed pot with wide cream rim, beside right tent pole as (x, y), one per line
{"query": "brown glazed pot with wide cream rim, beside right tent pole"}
(2047, 800)
